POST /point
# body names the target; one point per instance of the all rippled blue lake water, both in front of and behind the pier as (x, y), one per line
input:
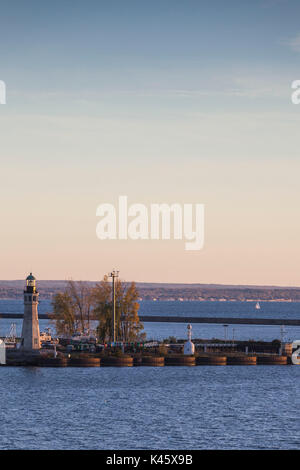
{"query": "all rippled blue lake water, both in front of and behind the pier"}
(204, 407)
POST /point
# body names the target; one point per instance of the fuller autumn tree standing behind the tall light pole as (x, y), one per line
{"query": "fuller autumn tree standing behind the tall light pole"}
(128, 325)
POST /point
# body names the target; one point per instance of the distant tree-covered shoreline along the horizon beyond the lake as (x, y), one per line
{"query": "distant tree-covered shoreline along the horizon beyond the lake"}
(150, 291)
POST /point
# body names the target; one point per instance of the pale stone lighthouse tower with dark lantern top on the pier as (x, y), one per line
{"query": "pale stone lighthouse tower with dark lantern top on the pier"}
(30, 339)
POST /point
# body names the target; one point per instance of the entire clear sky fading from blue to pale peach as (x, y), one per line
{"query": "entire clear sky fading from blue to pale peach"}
(165, 102)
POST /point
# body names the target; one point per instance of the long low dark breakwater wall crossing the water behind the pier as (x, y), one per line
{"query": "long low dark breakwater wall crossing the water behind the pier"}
(190, 319)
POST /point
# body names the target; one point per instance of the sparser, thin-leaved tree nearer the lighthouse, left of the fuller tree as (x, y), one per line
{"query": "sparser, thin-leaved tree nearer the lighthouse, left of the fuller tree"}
(72, 308)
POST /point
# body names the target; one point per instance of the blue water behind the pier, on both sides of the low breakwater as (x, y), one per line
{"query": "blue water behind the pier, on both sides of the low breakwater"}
(285, 310)
